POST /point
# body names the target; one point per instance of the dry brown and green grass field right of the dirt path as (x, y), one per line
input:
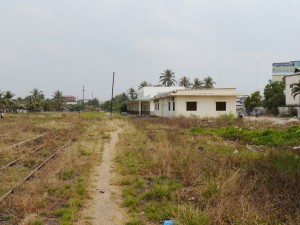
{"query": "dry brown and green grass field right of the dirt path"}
(210, 171)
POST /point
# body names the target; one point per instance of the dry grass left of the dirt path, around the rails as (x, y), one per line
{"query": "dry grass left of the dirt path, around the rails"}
(57, 191)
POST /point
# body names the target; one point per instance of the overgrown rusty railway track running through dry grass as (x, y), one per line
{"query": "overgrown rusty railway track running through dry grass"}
(29, 156)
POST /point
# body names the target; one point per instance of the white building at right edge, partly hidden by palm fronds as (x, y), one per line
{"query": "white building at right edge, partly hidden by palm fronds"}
(290, 80)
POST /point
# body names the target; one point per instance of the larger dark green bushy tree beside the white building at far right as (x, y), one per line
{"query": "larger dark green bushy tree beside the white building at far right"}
(274, 96)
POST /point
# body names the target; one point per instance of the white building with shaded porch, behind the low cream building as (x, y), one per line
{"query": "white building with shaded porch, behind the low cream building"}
(144, 103)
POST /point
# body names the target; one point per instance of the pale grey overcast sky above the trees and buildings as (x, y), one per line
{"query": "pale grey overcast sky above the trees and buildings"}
(62, 45)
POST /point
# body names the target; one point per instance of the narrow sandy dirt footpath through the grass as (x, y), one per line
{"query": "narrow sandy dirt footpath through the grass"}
(104, 207)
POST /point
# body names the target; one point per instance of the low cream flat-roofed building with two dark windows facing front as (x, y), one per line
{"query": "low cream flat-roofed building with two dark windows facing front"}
(197, 102)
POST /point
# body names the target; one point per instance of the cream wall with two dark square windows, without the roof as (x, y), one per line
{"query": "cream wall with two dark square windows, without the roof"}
(206, 106)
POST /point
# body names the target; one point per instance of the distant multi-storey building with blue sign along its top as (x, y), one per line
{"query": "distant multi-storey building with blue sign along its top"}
(282, 69)
